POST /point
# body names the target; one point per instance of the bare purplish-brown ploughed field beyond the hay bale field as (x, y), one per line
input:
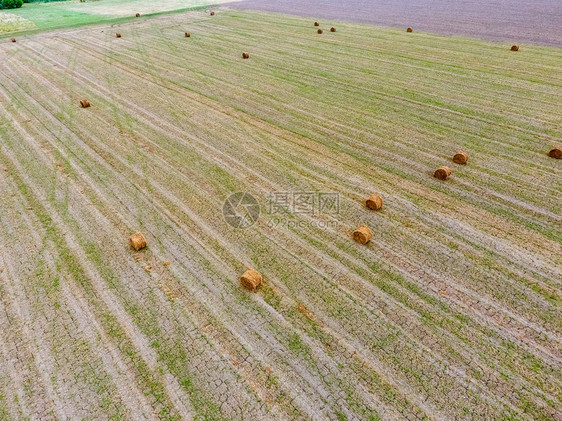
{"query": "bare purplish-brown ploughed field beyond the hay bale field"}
(518, 21)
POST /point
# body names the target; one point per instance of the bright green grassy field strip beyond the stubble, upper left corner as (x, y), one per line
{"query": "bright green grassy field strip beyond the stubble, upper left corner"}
(45, 16)
